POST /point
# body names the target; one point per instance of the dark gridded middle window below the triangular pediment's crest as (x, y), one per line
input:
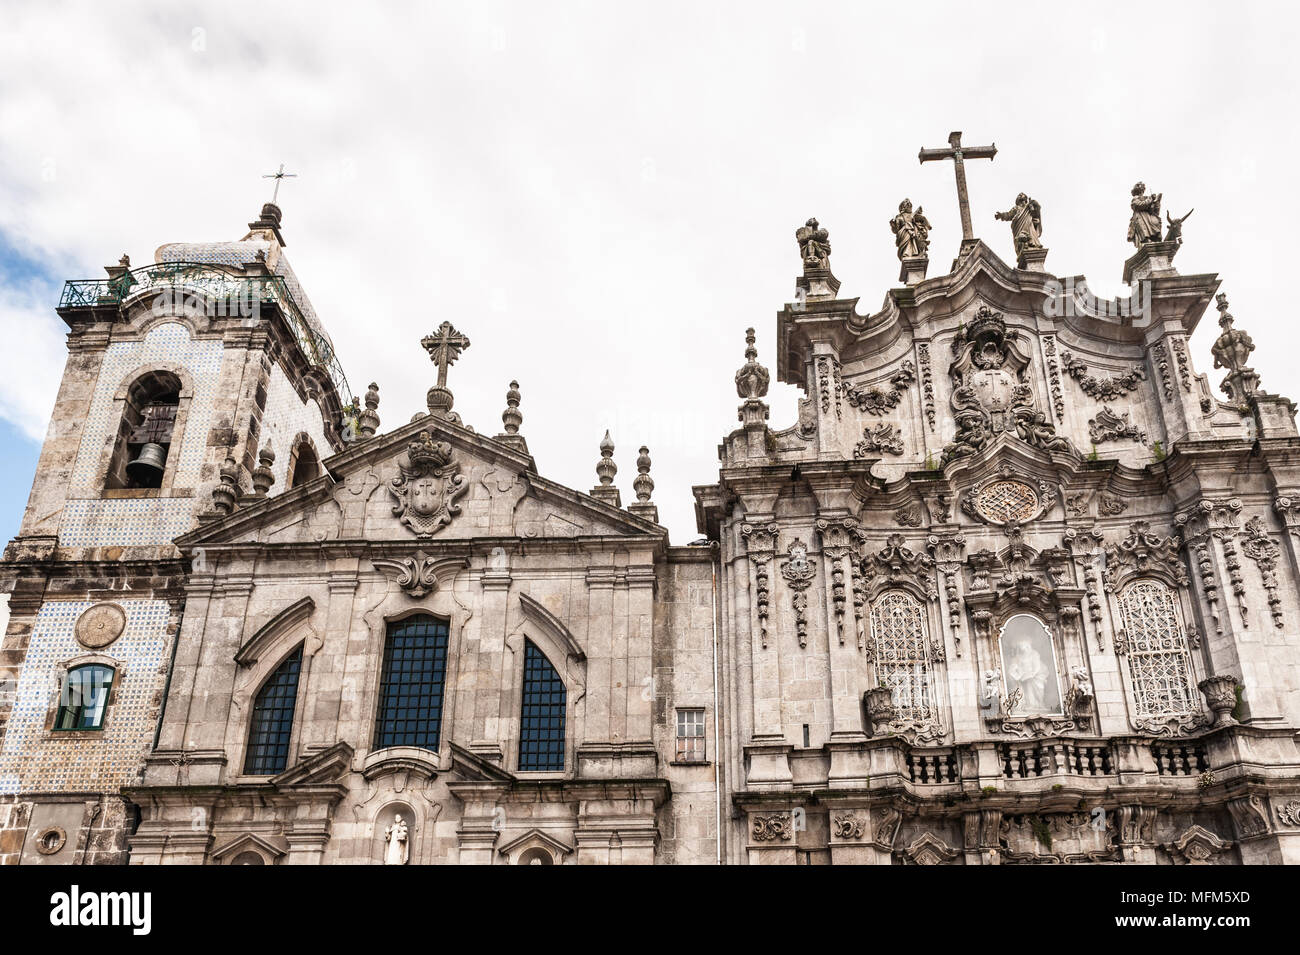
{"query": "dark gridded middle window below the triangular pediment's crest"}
(415, 670)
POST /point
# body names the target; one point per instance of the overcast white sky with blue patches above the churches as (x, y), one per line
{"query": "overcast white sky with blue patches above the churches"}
(603, 197)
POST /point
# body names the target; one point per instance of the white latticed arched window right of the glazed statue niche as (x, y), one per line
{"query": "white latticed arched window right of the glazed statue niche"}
(1160, 668)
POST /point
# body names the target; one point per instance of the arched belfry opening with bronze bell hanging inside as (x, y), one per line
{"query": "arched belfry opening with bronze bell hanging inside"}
(145, 433)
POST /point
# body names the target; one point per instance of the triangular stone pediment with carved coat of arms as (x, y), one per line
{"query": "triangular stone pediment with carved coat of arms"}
(428, 481)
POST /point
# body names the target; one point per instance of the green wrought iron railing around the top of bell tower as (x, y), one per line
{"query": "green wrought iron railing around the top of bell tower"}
(218, 292)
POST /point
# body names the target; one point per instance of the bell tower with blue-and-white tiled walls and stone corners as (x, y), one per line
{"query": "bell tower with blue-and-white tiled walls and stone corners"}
(210, 353)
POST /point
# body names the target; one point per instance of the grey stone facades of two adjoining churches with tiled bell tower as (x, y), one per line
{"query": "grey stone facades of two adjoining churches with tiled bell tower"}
(1016, 588)
